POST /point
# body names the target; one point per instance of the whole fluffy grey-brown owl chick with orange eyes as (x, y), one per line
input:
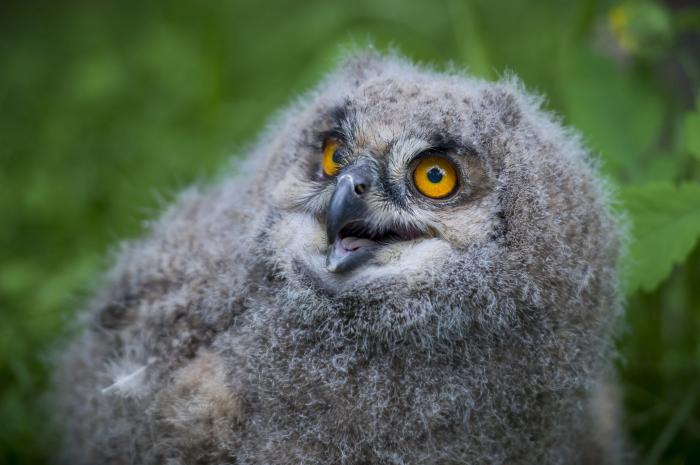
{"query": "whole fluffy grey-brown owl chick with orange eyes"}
(411, 267)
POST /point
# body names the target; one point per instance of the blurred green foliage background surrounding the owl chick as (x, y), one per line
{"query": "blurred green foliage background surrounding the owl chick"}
(106, 107)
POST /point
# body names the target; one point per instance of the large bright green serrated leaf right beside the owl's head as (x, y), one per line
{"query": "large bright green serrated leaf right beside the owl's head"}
(665, 228)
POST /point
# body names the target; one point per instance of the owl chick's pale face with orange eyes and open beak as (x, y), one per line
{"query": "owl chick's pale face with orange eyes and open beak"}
(386, 186)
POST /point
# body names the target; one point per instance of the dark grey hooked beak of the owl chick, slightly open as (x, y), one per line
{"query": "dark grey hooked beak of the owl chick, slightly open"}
(346, 208)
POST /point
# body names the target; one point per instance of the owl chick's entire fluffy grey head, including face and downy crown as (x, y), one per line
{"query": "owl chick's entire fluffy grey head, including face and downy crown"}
(407, 202)
